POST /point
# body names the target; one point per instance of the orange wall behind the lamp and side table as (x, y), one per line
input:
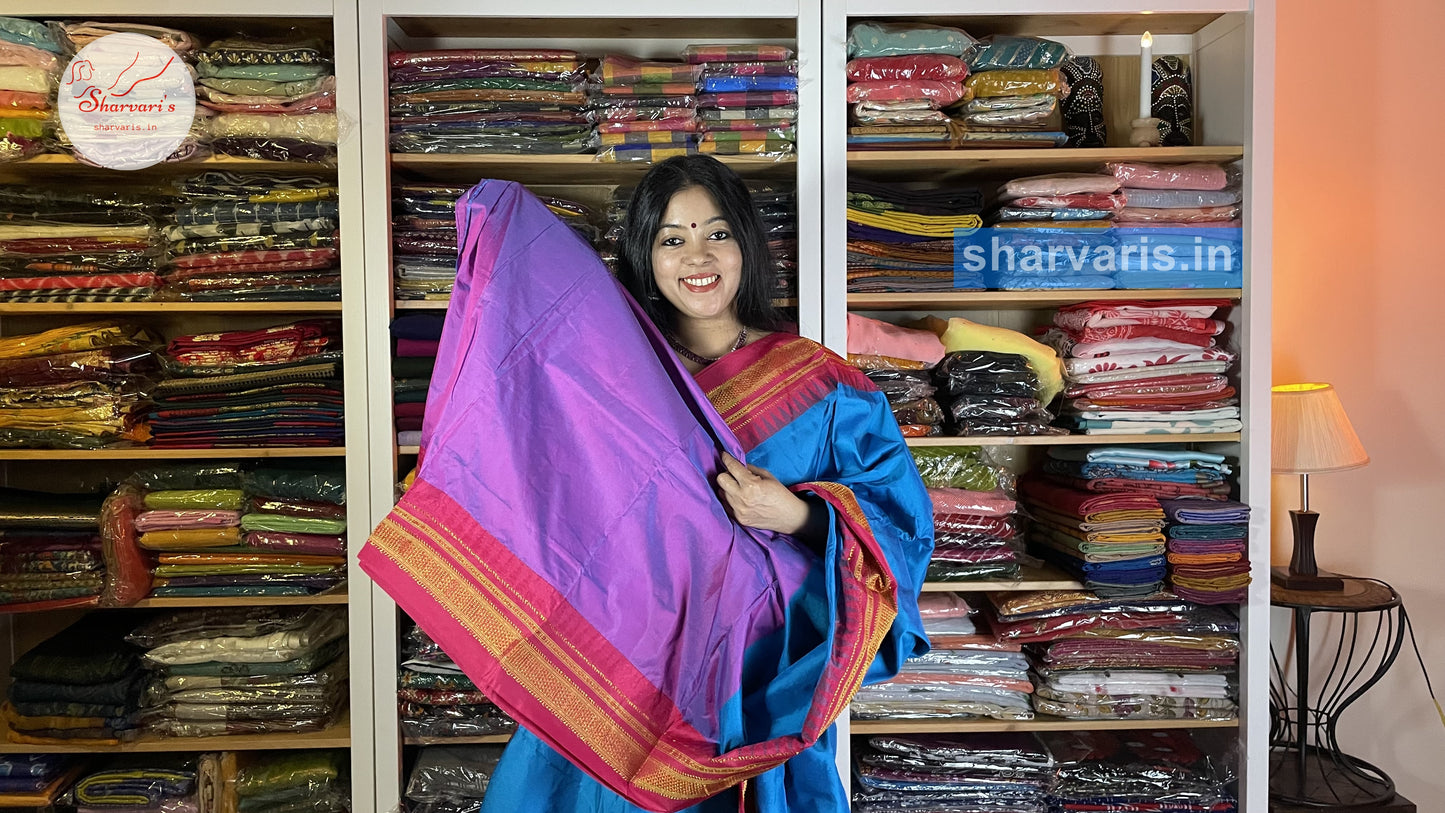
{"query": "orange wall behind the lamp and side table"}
(1360, 303)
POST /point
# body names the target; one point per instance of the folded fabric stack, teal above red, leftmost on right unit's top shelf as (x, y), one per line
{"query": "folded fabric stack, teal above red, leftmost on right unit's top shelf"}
(900, 80)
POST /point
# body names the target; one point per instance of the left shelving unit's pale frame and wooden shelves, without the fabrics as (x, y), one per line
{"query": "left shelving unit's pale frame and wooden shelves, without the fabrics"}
(335, 22)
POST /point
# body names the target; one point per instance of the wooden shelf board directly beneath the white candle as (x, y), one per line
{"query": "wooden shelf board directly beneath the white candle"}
(1027, 161)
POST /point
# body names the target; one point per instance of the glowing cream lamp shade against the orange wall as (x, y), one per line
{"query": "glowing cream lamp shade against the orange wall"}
(1311, 431)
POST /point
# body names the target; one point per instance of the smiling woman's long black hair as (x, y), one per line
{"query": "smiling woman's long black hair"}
(650, 203)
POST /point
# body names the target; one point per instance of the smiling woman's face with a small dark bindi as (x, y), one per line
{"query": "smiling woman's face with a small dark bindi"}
(696, 259)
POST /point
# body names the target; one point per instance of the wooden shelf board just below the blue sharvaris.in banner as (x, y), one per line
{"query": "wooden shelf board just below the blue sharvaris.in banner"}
(1024, 300)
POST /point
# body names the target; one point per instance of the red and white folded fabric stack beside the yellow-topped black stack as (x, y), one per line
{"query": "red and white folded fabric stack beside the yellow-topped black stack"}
(1170, 378)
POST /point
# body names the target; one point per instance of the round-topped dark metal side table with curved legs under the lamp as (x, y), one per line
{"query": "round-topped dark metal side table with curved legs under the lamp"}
(1307, 765)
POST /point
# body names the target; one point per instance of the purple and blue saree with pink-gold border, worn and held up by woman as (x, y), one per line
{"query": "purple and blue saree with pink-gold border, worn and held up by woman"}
(566, 547)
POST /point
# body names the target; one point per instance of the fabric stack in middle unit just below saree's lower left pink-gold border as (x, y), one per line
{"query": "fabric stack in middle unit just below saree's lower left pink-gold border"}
(437, 700)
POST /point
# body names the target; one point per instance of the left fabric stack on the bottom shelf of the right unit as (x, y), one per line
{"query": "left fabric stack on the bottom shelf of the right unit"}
(999, 773)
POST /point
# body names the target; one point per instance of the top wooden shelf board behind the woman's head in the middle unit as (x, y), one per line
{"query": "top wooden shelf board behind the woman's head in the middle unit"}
(563, 170)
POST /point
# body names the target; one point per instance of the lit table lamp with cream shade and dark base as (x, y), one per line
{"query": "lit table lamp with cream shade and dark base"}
(1311, 435)
